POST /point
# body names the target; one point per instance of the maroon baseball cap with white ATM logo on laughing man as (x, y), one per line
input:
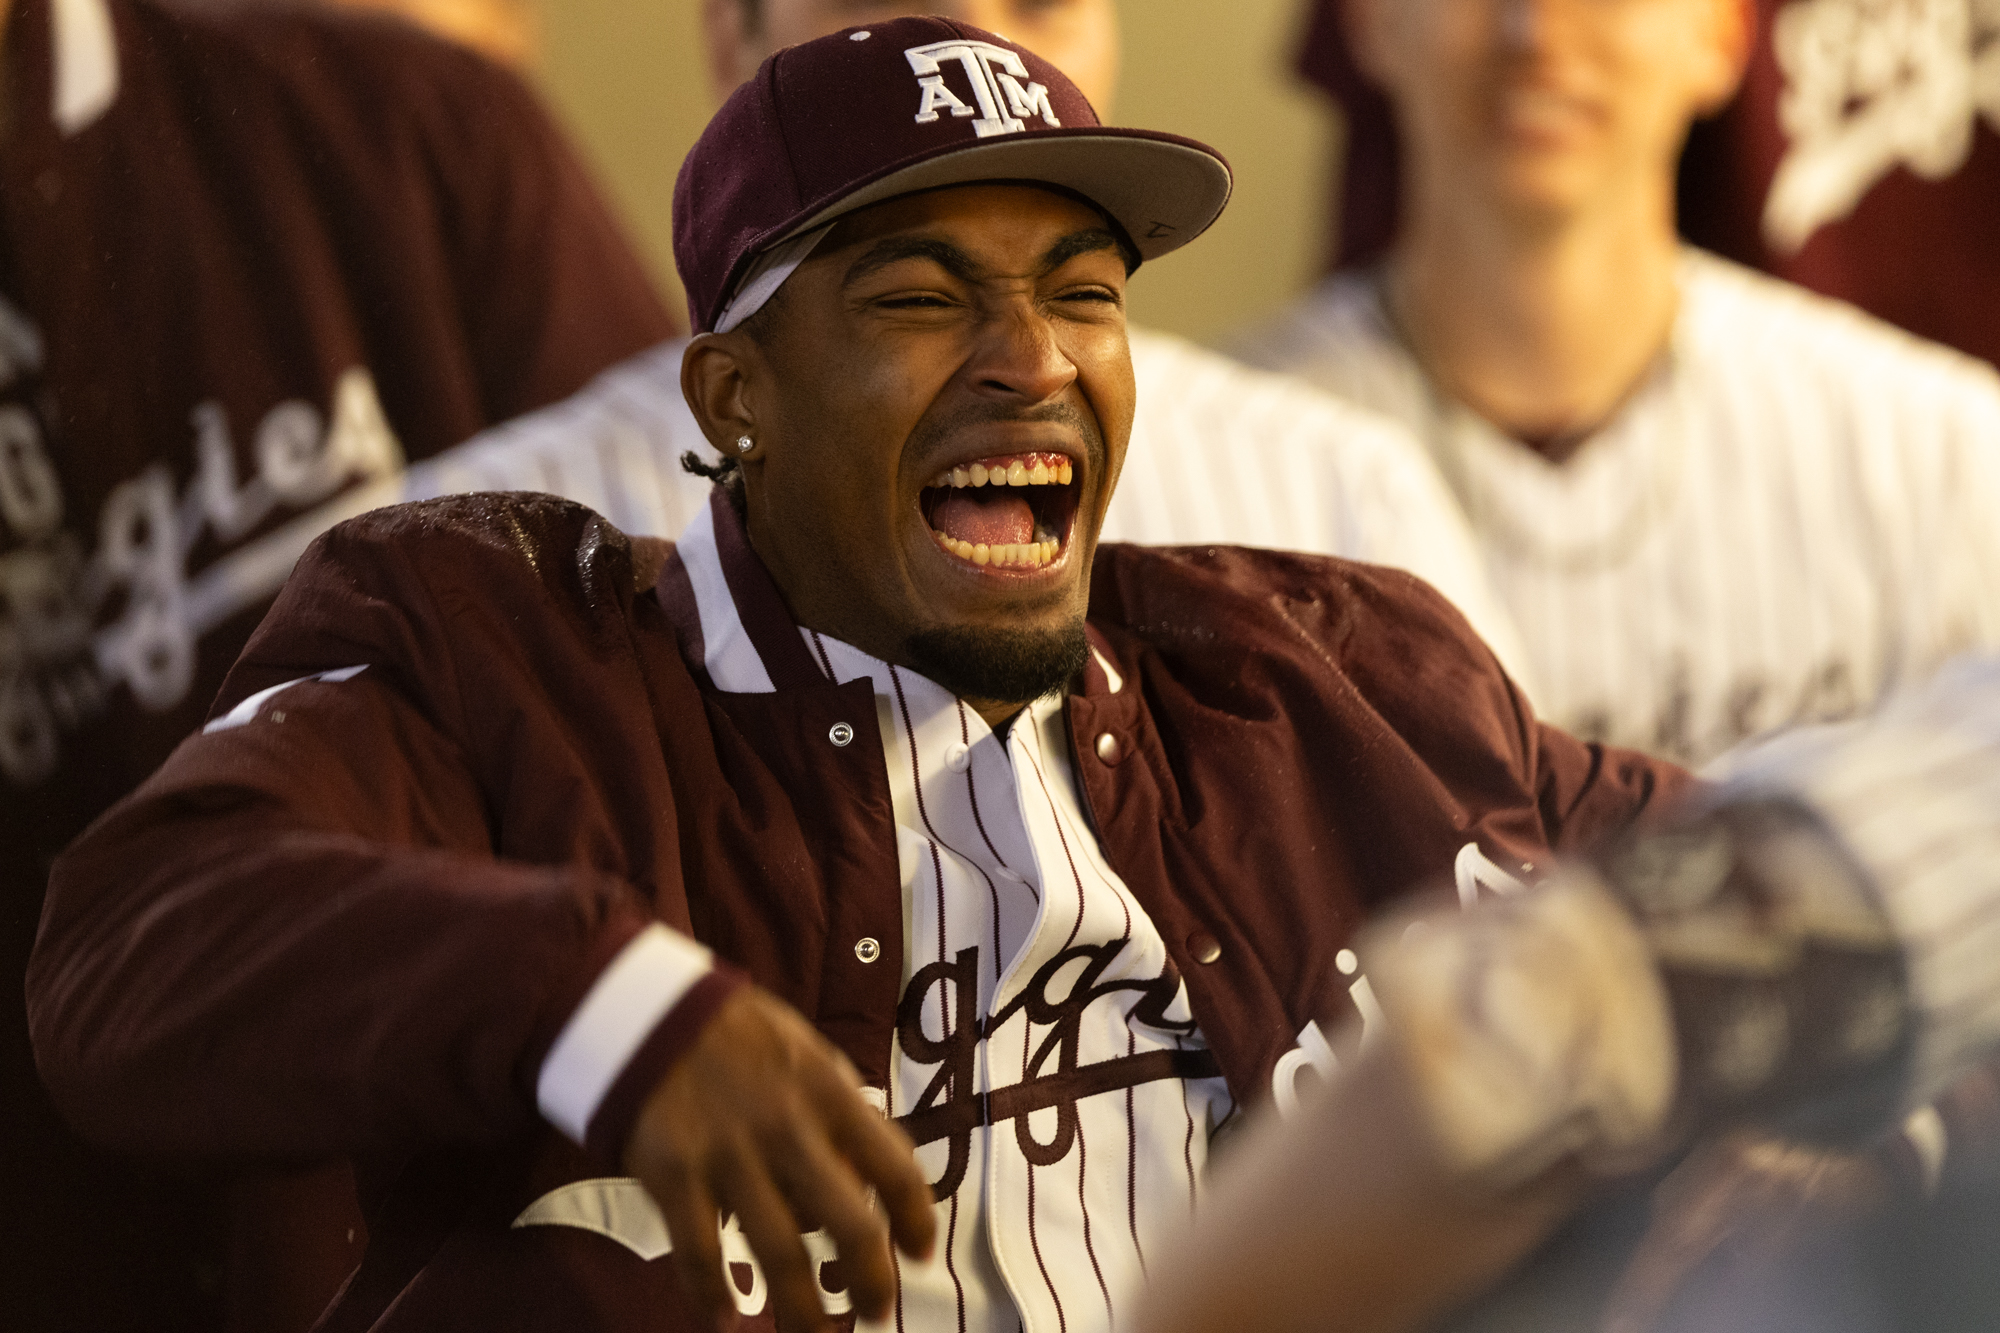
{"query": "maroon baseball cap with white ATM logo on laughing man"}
(911, 105)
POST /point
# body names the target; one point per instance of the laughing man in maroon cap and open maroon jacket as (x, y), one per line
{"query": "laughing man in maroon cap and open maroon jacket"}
(589, 890)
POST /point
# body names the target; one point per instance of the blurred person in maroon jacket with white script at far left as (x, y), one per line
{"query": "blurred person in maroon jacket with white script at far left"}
(249, 265)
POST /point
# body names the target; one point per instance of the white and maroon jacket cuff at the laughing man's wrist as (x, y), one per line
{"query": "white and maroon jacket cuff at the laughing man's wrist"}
(645, 1010)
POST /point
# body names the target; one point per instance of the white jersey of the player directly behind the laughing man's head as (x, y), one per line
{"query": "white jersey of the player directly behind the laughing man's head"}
(1219, 453)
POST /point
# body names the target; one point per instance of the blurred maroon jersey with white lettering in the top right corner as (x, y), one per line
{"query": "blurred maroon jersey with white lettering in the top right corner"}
(1863, 161)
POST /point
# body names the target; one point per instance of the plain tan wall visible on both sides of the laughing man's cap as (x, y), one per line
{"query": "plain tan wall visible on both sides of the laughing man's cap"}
(627, 79)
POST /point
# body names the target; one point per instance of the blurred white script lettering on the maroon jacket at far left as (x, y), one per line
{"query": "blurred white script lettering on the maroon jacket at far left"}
(75, 625)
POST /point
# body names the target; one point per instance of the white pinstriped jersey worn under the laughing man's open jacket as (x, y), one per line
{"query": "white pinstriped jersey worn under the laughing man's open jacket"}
(1029, 968)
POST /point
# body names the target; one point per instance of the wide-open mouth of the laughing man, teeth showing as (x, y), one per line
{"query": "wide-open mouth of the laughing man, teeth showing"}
(1011, 511)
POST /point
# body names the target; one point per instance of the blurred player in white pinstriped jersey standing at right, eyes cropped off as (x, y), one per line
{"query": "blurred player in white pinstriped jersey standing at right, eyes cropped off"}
(1713, 503)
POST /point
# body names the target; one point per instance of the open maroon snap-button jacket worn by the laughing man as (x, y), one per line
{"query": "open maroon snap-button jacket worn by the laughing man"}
(357, 924)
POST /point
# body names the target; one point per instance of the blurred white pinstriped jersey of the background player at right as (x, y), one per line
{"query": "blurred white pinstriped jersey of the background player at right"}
(1793, 515)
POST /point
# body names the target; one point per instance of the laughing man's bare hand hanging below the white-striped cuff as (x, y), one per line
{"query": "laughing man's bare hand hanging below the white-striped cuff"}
(763, 1120)
